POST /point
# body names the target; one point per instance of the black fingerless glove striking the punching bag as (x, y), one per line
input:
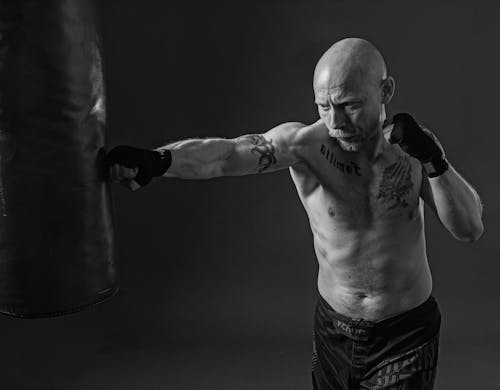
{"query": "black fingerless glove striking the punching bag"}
(150, 163)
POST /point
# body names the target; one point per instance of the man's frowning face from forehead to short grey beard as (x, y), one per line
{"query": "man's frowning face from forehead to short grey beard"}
(351, 111)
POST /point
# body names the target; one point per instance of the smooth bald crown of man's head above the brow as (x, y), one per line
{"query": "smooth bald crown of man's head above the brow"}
(349, 61)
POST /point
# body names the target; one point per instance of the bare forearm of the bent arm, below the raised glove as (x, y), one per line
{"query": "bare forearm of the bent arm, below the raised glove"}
(458, 205)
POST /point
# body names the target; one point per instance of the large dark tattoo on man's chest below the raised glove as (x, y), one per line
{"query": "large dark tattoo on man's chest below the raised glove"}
(396, 183)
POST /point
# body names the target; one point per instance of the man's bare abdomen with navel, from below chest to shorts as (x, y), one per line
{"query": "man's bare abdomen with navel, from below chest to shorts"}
(375, 274)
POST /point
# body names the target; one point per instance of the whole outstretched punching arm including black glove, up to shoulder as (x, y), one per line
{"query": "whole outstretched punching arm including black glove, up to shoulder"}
(276, 149)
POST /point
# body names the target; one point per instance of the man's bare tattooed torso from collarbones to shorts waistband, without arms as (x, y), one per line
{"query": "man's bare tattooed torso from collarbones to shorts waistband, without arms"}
(368, 228)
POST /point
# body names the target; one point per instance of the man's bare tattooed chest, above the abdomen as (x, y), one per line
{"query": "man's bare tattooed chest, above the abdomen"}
(357, 191)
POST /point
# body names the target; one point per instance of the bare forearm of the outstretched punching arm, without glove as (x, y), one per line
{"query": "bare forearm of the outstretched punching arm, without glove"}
(198, 158)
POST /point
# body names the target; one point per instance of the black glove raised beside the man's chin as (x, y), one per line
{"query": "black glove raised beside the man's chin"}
(417, 143)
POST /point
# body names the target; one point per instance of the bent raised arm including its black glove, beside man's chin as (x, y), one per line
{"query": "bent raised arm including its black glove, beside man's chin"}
(444, 190)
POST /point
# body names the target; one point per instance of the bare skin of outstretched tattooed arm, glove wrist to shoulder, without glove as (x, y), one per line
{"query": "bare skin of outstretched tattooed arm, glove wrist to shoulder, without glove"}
(253, 153)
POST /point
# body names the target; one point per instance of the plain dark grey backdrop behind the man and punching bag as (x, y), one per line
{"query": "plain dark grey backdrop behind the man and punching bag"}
(218, 277)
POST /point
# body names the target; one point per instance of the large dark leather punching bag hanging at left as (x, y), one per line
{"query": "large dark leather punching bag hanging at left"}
(56, 237)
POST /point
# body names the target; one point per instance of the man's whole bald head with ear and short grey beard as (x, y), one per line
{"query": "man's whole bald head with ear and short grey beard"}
(351, 89)
